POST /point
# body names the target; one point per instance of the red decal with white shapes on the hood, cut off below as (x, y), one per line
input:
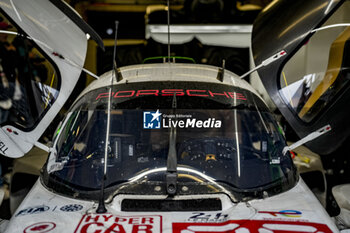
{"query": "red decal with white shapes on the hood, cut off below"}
(250, 226)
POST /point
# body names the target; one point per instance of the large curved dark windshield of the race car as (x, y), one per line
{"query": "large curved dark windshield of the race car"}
(236, 145)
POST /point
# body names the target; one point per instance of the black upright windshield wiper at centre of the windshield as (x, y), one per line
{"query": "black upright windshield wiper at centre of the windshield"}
(171, 172)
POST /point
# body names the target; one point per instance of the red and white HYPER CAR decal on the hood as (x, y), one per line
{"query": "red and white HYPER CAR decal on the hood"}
(107, 223)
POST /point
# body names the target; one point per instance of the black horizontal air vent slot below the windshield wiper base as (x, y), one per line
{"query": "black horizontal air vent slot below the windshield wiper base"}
(212, 204)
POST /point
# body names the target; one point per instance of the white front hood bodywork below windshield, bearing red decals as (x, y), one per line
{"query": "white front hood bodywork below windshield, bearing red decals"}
(296, 210)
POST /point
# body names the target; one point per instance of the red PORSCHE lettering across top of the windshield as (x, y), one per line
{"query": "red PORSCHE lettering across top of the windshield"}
(171, 92)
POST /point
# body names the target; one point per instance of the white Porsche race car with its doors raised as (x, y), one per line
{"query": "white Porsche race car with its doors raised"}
(160, 147)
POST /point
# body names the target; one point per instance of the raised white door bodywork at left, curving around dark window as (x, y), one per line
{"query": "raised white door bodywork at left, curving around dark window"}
(54, 32)
